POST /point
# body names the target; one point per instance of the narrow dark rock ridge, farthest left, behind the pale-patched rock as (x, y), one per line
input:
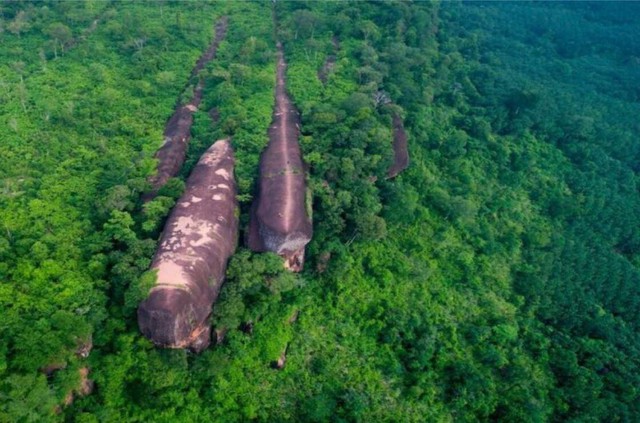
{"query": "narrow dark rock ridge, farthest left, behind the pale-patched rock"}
(177, 131)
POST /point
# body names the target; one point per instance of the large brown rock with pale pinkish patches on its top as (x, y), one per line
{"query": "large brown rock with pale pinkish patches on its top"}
(198, 238)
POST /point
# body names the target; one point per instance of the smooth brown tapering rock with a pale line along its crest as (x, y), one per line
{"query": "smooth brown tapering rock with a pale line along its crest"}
(279, 219)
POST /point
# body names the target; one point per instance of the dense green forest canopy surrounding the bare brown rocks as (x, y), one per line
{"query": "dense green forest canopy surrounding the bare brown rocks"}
(498, 278)
